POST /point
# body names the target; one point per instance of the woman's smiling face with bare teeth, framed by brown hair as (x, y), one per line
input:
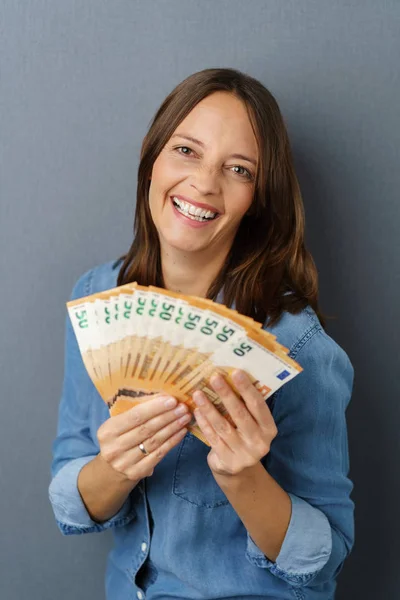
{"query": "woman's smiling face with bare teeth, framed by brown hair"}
(202, 182)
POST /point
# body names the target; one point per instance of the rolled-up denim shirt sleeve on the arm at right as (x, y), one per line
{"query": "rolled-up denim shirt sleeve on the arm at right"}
(309, 460)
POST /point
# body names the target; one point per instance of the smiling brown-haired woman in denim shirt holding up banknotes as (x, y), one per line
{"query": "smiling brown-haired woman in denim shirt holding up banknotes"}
(266, 512)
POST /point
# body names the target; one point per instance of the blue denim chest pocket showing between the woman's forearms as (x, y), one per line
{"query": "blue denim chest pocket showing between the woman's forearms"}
(193, 480)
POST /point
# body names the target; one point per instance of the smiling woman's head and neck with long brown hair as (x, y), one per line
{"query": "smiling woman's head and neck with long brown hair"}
(219, 142)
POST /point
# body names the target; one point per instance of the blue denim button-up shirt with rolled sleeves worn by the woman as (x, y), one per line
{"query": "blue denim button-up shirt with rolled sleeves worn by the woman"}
(177, 536)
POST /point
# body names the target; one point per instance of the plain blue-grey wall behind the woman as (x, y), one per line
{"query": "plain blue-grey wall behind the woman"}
(79, 84)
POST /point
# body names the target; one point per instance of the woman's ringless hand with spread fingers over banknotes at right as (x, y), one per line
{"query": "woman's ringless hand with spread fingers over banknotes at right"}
(234, 450)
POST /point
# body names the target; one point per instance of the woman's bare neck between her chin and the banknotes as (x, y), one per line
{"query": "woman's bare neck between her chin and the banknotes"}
(189, 273)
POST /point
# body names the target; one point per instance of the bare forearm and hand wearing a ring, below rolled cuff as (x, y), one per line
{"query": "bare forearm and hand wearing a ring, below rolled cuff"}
(105, 482)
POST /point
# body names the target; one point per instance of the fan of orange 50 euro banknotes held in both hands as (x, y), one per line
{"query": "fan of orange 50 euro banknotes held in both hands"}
(136, 341)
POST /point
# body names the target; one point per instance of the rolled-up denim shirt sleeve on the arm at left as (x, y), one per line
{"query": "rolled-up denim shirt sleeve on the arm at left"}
(74, 446)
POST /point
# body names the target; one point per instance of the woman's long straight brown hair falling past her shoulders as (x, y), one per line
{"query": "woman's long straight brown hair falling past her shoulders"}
(268, 269)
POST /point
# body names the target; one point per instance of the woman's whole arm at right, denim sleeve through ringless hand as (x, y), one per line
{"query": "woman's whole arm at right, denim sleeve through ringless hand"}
(306, 467)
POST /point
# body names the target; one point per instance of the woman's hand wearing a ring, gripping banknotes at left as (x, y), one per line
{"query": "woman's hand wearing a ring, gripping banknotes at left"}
(158, 423)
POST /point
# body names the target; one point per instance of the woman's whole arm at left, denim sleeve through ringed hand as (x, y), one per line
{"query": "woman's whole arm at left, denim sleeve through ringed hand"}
(92, 479)
